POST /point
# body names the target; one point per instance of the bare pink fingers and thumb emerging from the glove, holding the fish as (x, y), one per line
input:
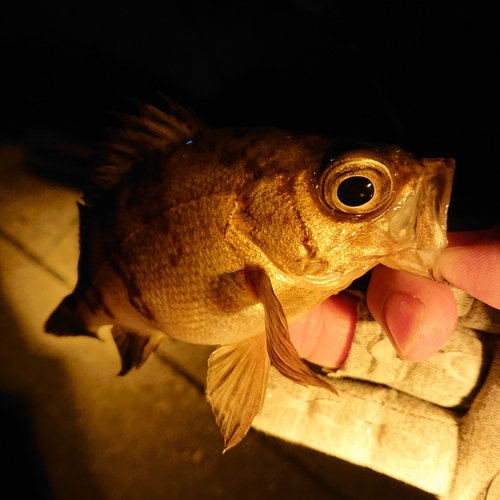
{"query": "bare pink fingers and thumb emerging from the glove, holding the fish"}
(418, 315)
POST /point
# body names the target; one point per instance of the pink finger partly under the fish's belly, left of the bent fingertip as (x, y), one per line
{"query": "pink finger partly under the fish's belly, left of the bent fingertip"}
(324, 335)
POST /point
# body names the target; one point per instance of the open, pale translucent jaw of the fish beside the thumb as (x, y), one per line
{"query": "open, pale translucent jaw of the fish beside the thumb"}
(419, 224)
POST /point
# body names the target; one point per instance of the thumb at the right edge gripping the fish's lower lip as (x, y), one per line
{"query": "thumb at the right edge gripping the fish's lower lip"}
(472, 264)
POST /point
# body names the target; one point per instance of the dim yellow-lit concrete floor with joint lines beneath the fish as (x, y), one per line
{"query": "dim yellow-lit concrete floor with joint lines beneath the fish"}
(71, 429)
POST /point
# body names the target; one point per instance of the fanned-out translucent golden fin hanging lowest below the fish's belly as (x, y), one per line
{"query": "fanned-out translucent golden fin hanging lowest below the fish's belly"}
(236, 384)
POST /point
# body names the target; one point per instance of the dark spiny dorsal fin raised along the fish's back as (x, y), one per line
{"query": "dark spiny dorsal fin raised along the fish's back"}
(153, 132)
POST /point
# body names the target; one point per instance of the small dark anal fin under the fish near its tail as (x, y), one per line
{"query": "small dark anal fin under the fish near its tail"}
(134, 348)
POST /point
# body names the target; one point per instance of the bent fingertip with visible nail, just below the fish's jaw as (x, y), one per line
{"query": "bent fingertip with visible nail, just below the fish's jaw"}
(418, 315)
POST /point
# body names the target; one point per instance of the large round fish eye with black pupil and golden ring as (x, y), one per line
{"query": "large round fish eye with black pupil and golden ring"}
(356, 184)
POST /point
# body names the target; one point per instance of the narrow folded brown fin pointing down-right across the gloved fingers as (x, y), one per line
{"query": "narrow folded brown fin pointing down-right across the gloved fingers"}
(283, 355)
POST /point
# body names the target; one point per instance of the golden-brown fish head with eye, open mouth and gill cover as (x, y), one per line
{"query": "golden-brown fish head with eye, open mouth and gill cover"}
(363, 205)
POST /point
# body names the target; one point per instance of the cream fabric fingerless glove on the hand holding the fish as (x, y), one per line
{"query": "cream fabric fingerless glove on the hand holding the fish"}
(433, 424)
